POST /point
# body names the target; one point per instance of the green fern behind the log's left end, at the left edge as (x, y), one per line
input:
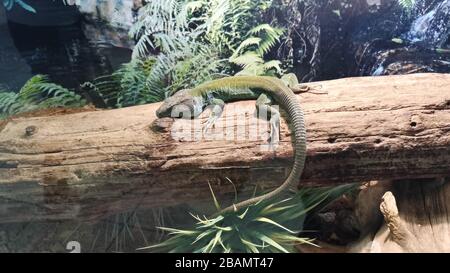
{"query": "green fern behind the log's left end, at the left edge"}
(38, 93)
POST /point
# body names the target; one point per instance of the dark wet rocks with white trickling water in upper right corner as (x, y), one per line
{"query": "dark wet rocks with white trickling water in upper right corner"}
(402, 43)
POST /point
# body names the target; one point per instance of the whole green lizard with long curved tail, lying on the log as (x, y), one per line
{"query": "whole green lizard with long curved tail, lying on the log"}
(190, 103)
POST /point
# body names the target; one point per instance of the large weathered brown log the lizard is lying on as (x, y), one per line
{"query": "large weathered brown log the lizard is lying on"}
(92, 164)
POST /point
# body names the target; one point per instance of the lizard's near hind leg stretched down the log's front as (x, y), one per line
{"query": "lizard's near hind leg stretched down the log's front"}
(266, 110)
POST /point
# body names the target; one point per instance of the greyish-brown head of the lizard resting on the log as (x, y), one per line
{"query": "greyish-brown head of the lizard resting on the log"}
(181, 105)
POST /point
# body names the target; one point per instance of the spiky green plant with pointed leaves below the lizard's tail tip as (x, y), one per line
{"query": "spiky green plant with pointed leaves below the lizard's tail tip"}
(268, 226)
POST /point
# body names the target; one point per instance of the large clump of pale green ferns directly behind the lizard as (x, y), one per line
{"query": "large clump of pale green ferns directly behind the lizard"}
(188, 40)
